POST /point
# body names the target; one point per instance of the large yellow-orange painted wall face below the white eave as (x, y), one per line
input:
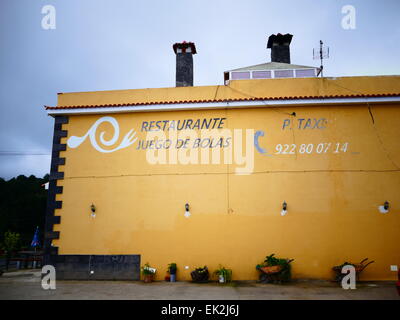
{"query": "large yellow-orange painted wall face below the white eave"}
(332, 198)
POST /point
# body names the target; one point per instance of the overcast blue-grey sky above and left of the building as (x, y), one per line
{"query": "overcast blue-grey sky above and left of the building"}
(127, 44)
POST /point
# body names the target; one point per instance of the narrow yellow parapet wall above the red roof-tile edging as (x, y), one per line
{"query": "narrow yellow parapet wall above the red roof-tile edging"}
(261, 88)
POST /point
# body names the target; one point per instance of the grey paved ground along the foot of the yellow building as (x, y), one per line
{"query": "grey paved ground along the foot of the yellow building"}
(27, 285)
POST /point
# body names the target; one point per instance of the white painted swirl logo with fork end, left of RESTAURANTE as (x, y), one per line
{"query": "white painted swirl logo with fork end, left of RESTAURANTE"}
(128, 140)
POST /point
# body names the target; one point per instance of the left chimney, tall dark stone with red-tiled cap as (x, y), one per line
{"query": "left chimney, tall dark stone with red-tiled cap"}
(184, 63)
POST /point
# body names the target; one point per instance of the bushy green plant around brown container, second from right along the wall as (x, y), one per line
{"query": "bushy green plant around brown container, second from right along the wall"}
(275, 269)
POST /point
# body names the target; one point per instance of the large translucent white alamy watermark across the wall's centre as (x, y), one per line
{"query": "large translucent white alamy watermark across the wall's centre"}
(215, 146)
